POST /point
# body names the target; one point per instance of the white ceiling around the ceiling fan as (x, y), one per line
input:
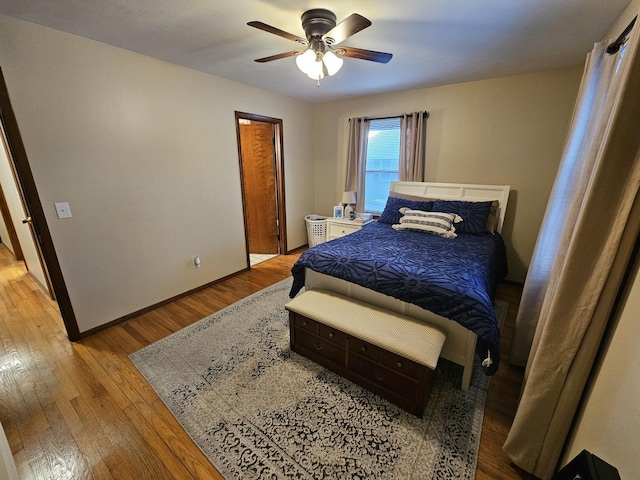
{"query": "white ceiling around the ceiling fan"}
(434, 42)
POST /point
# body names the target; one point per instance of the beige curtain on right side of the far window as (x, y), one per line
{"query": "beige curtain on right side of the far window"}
(412, 144)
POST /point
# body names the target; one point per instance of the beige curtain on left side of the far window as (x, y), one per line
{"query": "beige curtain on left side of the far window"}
(357, 159)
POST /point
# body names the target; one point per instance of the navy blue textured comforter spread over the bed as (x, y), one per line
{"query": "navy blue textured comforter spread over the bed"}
(452, 277)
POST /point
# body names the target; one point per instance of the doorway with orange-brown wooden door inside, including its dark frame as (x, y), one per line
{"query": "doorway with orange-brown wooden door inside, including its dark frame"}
(262, 178)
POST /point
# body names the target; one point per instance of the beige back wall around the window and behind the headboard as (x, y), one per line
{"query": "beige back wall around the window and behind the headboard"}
(508, 130)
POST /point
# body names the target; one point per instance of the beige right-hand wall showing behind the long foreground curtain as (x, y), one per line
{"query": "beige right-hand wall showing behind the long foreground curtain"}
(607, 424)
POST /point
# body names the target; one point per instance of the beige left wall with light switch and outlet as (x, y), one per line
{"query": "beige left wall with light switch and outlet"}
(145, 153)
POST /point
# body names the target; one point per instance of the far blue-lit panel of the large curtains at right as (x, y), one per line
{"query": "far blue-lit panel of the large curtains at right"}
(597, 93)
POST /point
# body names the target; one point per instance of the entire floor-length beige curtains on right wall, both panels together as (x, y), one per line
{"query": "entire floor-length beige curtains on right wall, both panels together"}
(584, 247)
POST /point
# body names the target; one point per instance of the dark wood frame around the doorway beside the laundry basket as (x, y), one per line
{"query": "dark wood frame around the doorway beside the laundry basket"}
(278, 149)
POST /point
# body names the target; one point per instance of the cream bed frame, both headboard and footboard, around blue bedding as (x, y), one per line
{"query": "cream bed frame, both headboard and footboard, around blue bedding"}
(461, 343)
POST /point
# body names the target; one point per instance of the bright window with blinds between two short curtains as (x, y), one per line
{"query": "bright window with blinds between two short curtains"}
(382, 163)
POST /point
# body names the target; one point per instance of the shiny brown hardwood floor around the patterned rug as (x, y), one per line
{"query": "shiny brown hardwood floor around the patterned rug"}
(75, 410)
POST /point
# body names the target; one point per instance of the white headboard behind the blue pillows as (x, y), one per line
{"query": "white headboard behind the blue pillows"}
(457, 191)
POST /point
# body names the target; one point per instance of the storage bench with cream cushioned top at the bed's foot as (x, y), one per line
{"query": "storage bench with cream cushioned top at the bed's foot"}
(387, 353)
